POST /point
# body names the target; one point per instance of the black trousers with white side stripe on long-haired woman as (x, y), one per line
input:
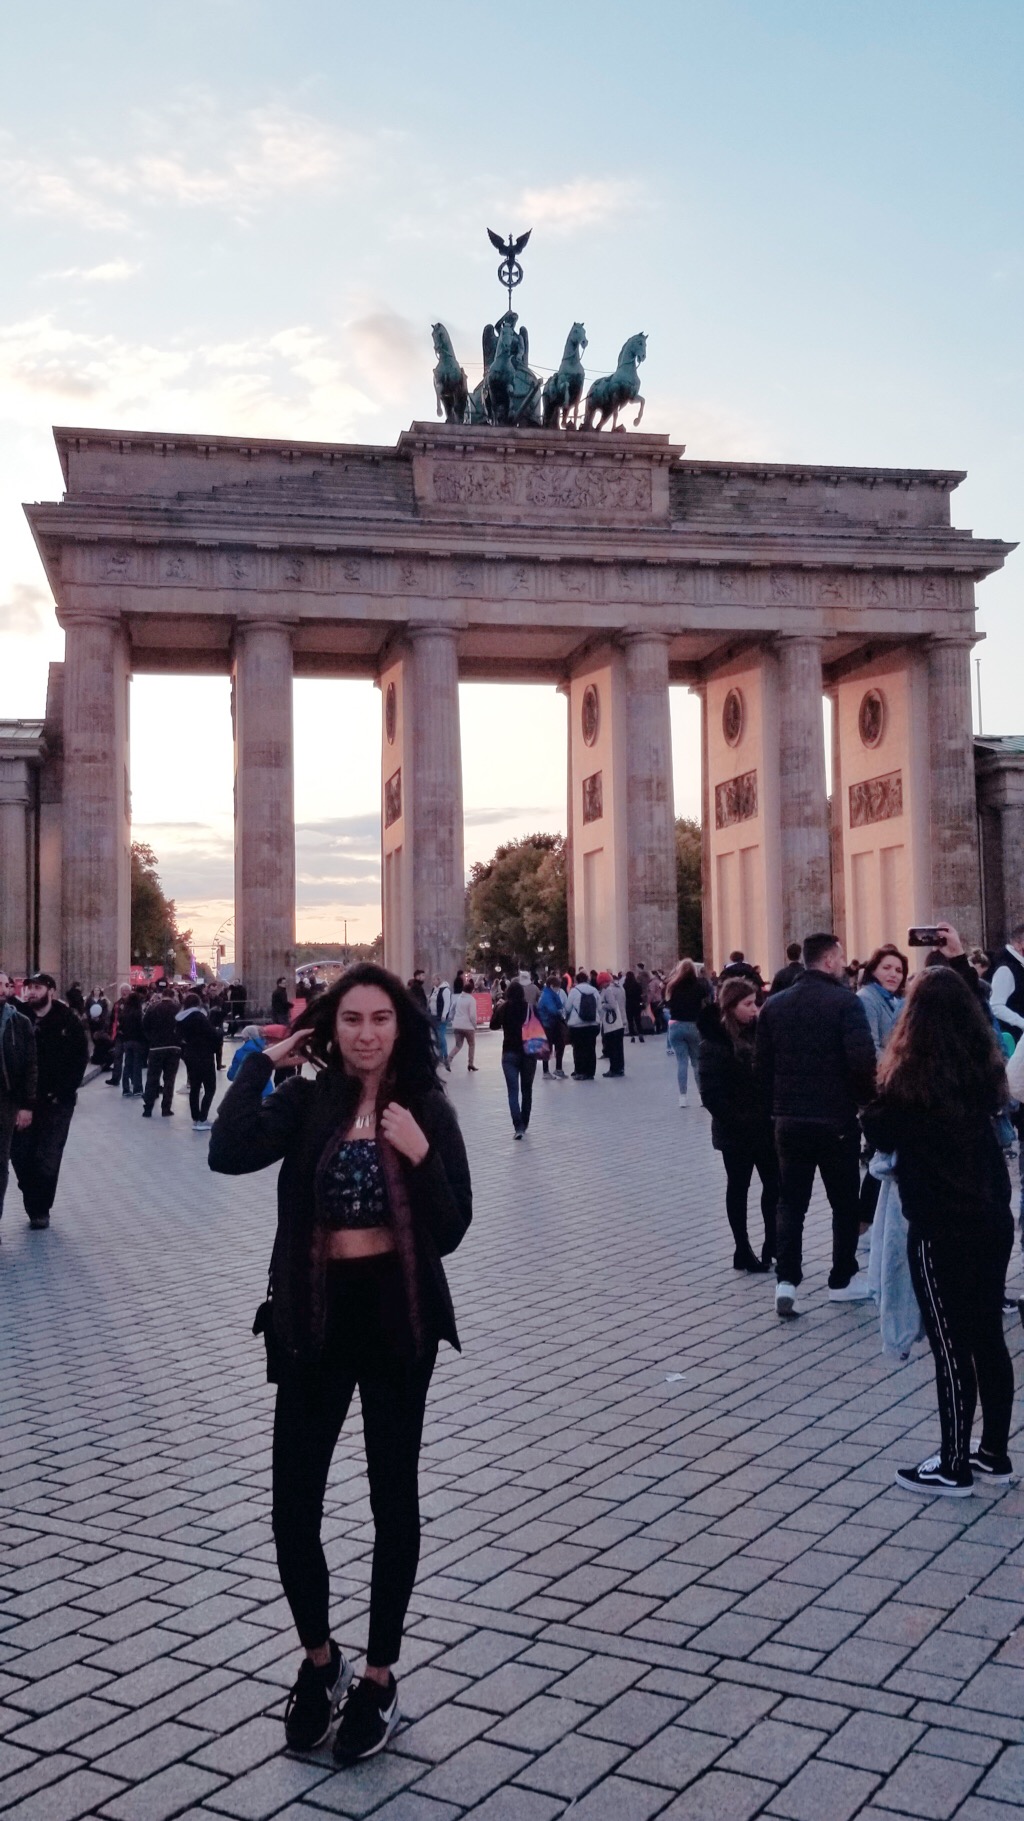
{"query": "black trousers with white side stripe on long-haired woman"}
(959, 1287)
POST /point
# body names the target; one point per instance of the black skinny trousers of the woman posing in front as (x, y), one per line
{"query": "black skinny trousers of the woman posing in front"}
(367, 1345)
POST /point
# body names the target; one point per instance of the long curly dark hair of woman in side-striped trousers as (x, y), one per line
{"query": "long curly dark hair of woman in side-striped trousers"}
(943, 1055)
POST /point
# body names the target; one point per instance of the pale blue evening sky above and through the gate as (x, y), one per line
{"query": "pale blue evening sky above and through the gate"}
(240, 218)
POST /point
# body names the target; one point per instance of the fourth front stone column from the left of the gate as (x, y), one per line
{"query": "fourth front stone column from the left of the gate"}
(651, 828)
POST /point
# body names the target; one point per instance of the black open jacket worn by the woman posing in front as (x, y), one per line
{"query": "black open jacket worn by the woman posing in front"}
(429, 1205)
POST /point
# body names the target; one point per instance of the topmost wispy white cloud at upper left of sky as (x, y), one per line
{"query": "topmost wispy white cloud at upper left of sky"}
(194, 156)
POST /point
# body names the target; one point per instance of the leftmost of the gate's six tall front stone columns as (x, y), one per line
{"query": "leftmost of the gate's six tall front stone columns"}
(97, 806)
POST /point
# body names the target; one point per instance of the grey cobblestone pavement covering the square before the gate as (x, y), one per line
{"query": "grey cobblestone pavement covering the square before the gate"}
(664, 1572)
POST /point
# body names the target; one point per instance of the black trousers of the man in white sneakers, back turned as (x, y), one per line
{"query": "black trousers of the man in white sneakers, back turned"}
(808, 1146)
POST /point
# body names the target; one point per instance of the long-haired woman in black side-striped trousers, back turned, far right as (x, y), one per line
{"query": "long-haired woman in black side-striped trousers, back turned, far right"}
(941, 1084)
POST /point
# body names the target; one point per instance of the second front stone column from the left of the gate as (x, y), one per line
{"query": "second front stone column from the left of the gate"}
(265, 808)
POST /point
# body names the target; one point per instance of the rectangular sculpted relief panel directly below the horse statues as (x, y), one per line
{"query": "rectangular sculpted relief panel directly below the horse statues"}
(546, 485)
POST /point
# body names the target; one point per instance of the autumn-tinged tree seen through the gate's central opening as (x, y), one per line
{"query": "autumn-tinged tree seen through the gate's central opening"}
(517, 904)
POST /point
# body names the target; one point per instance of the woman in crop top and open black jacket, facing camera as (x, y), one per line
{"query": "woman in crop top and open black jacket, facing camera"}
(374, 1190)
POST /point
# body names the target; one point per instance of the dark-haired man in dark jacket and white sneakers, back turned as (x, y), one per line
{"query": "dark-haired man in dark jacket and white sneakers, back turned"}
(815, 1061)
